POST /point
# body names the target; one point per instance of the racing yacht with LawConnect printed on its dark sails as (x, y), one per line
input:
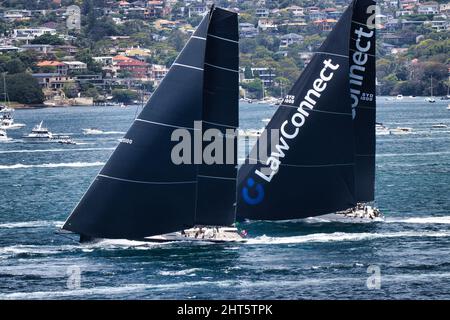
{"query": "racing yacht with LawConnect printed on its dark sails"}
(321, 155)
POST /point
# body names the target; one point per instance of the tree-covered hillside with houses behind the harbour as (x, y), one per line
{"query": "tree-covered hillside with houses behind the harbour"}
(69, 52)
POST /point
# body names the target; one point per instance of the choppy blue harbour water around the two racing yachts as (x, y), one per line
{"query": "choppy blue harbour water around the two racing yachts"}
(41, 182)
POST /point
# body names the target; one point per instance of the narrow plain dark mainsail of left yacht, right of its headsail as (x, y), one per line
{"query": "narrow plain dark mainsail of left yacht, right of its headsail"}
(217, 181)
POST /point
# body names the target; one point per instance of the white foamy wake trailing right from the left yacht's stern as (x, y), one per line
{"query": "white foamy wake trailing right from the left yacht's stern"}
(342, 236)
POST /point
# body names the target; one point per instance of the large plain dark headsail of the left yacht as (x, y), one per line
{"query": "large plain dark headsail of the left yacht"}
(140, 191)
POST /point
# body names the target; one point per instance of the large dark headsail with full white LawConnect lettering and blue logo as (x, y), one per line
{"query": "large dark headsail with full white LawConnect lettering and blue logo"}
(310, 170)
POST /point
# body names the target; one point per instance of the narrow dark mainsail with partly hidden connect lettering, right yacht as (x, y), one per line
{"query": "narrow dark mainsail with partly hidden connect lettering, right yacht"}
(362, 91)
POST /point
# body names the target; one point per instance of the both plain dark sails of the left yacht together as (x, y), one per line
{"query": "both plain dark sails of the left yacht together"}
(140, 191)
